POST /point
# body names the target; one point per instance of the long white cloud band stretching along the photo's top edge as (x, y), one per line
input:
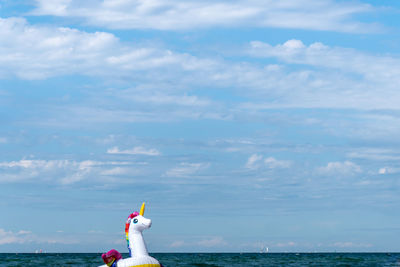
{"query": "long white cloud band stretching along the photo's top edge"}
(177, 15)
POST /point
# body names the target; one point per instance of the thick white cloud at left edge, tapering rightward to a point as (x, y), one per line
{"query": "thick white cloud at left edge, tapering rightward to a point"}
(38, 52)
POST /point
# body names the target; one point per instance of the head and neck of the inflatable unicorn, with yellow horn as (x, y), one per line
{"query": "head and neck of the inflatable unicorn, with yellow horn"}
(134, 226)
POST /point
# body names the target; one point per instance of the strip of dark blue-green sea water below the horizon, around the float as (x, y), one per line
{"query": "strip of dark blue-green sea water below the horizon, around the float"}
(211, 259)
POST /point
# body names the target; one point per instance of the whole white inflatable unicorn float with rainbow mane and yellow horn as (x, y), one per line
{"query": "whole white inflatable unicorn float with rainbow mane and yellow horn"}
(139, 257)
